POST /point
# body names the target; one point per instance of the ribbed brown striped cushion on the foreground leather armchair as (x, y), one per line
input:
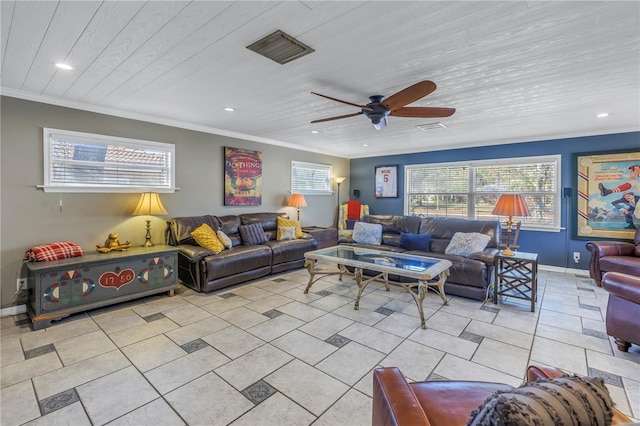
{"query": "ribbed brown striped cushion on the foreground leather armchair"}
(563, 400)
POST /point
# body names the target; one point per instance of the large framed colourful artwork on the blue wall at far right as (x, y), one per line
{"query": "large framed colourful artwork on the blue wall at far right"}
(608, 188)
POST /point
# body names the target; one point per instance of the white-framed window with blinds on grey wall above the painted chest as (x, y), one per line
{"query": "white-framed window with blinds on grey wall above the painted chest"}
(83, 162)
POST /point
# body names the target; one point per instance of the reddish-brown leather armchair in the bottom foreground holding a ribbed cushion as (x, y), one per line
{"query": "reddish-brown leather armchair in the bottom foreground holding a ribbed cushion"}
(400, 403)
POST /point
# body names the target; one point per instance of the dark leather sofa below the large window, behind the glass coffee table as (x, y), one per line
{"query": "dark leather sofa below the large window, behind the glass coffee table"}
(469, 276)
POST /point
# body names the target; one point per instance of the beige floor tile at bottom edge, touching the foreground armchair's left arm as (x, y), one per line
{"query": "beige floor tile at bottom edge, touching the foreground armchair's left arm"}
(354, 409)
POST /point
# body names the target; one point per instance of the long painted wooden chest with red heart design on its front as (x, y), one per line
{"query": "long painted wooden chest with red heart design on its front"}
(61, 287)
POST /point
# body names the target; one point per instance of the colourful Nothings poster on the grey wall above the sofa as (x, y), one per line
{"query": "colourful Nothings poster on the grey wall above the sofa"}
(242, 177)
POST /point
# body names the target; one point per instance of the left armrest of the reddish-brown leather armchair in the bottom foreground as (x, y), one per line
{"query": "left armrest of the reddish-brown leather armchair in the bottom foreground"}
(394, 402)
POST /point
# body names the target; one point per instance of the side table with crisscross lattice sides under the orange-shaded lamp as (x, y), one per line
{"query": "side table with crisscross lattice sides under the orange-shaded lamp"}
(516, 276)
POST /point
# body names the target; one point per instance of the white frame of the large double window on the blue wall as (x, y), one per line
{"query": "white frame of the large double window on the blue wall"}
(556, 207)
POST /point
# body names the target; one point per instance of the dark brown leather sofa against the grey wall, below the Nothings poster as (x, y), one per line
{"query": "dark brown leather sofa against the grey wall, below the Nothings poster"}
(205, 271)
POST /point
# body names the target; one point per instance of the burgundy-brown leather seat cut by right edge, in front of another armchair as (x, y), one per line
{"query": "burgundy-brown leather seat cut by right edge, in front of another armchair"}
(623, 321)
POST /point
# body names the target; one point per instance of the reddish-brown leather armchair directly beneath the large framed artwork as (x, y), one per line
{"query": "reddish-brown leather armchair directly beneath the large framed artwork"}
(614, 256)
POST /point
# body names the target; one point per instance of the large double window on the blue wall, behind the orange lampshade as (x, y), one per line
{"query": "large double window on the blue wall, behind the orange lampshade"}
(471, 189)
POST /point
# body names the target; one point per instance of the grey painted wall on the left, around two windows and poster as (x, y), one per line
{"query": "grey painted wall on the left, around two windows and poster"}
(32, 217)
